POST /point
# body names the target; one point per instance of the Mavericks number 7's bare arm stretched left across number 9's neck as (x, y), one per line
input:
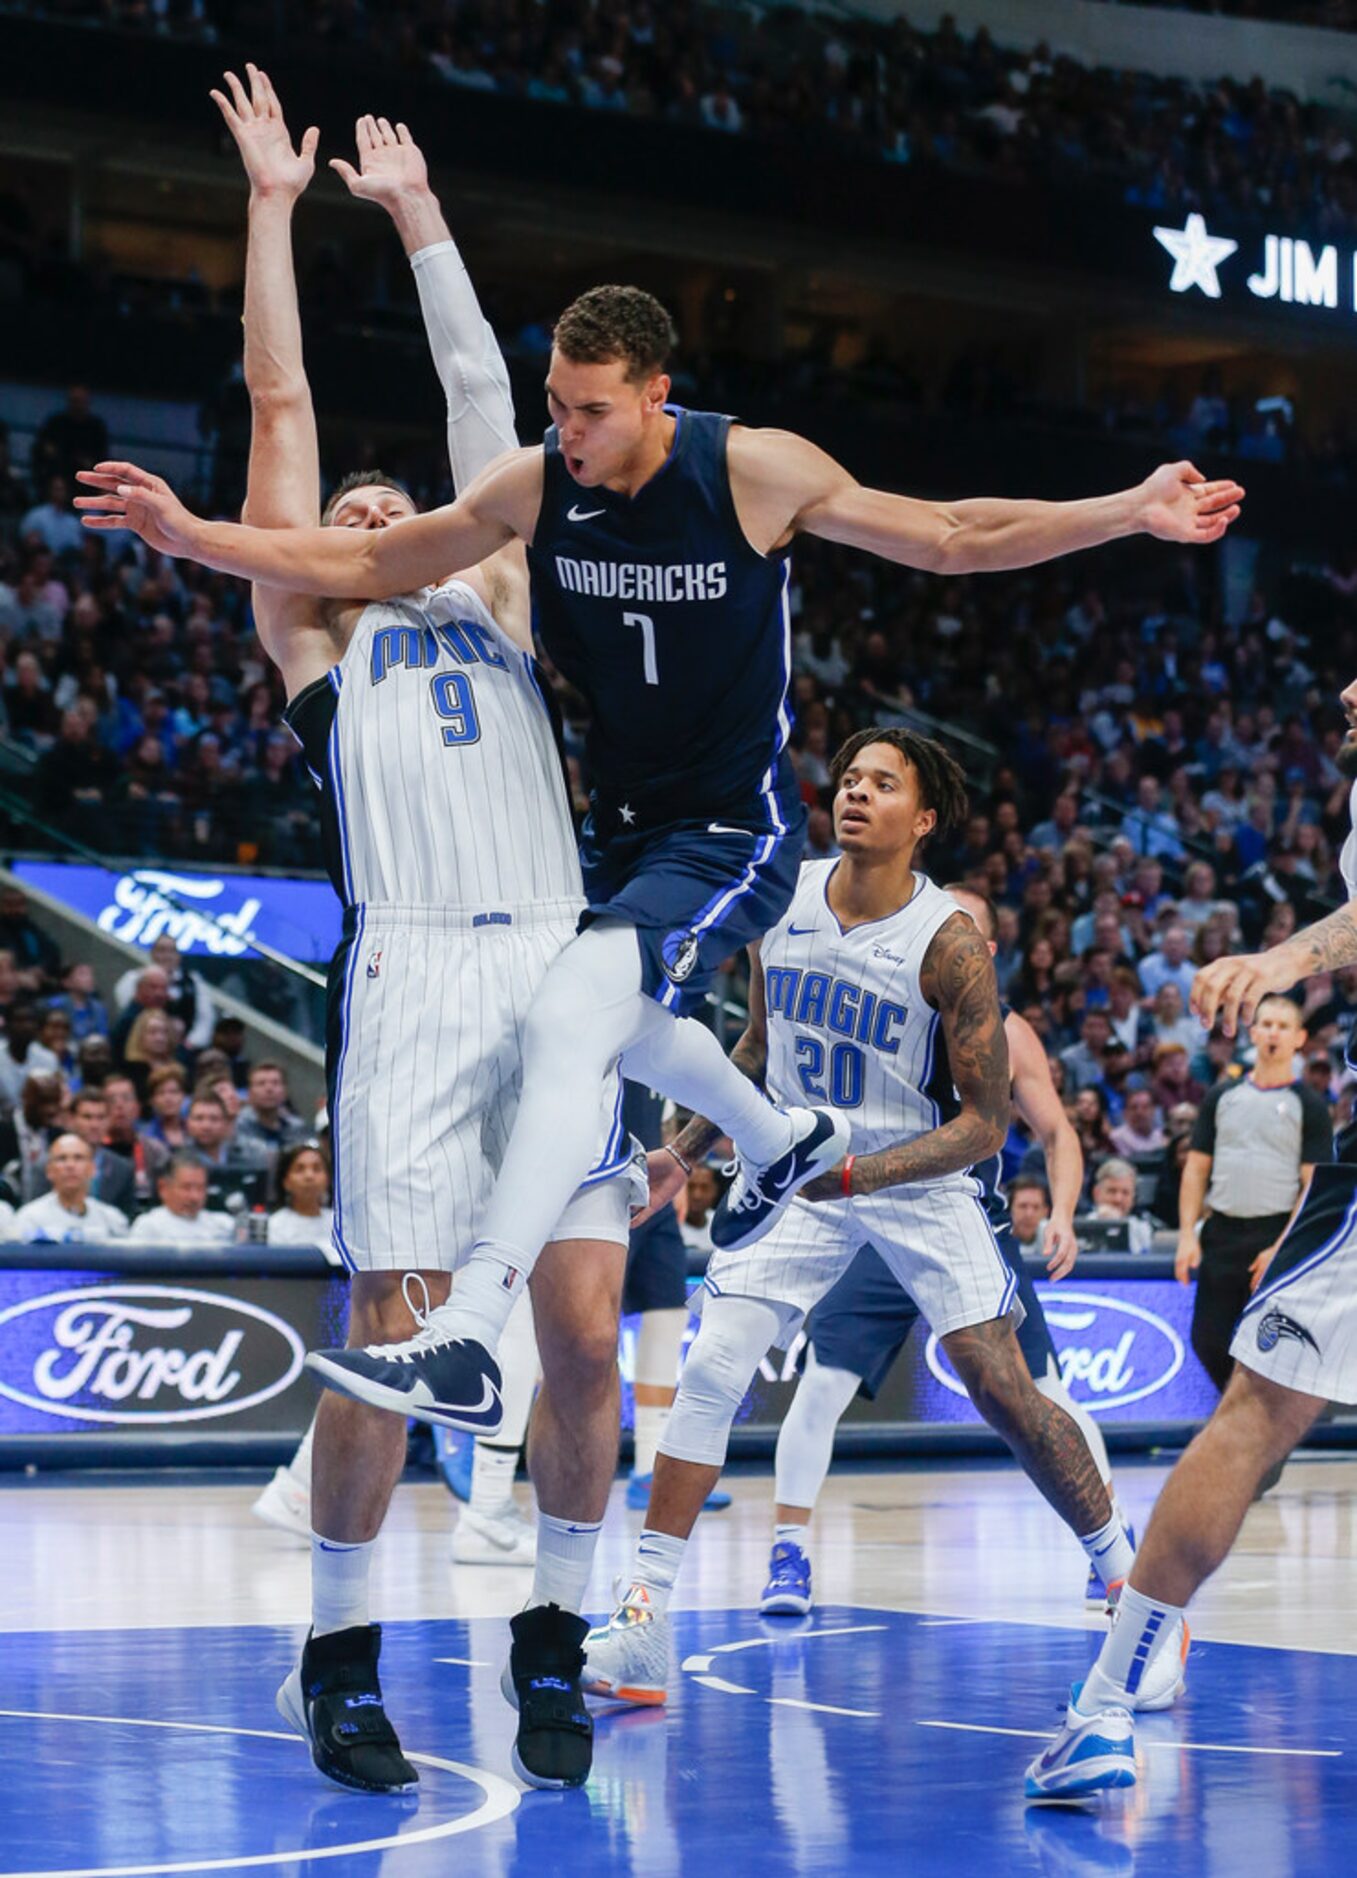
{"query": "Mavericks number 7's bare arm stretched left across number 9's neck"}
(331, 562)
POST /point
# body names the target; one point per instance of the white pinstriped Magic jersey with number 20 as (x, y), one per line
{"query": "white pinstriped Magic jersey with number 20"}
(847, 1023)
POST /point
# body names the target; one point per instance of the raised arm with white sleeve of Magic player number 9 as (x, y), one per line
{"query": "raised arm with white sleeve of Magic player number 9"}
(466, 354)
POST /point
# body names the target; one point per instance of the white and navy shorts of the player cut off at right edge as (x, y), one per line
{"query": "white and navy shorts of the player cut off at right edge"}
(1300, 1329)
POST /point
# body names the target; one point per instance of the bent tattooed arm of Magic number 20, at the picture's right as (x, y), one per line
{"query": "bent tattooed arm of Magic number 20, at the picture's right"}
(958, 981)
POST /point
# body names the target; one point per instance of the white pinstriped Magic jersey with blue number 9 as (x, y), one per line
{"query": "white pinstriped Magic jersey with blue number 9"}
(436, 756)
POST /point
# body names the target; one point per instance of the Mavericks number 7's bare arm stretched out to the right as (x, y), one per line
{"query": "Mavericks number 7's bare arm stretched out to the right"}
(785, 485)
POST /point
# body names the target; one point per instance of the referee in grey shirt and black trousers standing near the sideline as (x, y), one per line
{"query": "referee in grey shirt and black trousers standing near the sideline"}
(1255, 1147)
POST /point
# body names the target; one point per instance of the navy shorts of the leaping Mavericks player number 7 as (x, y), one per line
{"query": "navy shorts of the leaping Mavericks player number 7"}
(695, 891)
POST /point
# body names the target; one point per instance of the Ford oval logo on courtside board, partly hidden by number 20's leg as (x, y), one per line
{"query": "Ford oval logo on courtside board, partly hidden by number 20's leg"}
(1112, 1353)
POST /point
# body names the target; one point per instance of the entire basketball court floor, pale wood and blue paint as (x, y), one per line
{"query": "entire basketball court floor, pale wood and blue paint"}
(149, 1625)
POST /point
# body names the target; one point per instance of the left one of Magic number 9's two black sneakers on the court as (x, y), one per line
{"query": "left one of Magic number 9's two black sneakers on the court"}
(333, 1701)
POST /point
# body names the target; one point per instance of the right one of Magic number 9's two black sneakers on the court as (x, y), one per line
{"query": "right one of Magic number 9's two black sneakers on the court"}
(555, 1744)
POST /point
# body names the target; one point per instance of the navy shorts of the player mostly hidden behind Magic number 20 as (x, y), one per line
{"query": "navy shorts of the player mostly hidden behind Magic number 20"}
(864, 1321)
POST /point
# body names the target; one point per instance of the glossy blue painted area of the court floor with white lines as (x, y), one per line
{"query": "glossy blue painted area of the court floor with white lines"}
(859, 1742)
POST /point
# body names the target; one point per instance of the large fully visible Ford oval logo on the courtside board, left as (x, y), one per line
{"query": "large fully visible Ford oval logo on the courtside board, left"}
(144, 1355)
